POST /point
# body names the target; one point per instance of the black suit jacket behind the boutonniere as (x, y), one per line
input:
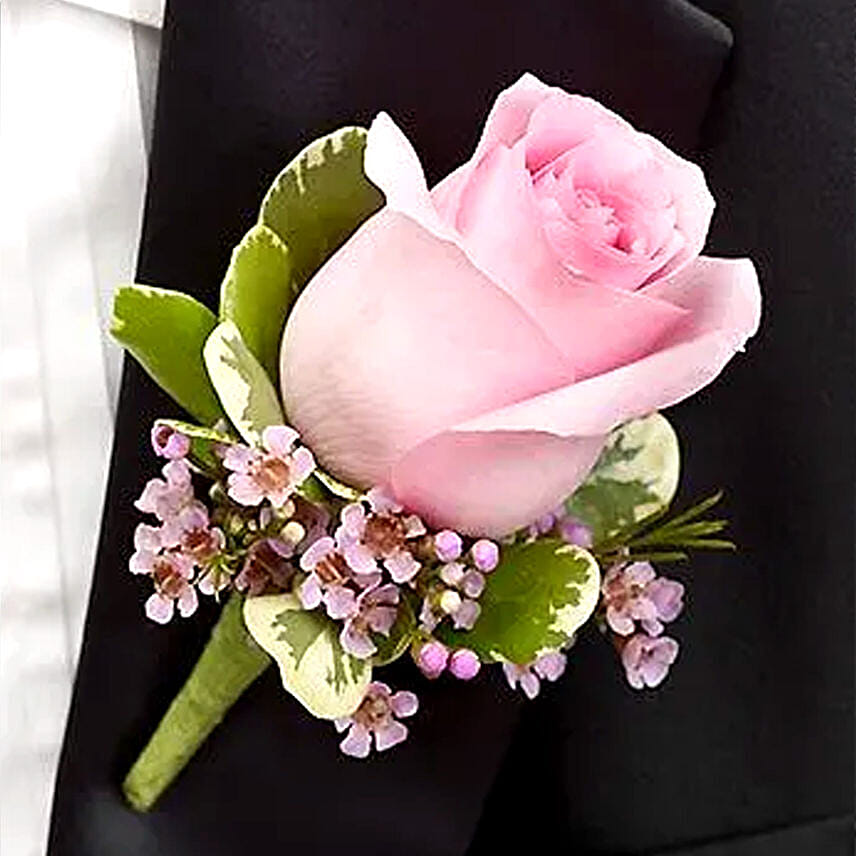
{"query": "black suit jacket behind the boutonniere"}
(751, 732)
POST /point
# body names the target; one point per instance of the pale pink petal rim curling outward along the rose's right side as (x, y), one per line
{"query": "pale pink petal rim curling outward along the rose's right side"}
(724, 303)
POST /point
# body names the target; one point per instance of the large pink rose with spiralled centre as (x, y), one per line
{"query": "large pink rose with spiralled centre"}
(470, 347)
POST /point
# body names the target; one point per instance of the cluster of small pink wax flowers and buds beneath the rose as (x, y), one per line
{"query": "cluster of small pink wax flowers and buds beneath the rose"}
(362, 562)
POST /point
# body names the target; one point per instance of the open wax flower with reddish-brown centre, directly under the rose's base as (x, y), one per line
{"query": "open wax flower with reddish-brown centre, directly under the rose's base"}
(381, 534)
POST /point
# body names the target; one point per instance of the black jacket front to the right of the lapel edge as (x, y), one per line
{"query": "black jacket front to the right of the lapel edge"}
(753, 729)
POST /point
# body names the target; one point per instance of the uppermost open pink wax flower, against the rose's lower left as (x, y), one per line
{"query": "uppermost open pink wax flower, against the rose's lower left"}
(272, 472)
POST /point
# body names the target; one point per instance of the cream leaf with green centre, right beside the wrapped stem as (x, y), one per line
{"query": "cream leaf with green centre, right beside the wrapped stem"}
(314, 668)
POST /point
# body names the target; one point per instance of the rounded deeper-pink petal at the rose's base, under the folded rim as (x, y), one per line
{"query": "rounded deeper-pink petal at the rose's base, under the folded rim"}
(492, 483)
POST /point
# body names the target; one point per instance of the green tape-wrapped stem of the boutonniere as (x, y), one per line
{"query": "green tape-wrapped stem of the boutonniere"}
(230, 662)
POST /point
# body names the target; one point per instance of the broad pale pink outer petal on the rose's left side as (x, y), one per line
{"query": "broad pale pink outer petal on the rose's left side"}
(397, 338)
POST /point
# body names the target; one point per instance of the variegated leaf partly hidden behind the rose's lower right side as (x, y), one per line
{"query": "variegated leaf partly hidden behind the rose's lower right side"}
(635, 477)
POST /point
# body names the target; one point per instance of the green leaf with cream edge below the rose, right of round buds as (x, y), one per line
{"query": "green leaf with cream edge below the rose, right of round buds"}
(541, 593)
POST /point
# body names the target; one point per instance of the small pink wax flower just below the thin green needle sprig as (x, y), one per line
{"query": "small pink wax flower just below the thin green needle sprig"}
(634, 593)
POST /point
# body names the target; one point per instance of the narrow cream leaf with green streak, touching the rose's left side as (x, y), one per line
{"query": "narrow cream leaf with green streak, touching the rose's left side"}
(245, 390)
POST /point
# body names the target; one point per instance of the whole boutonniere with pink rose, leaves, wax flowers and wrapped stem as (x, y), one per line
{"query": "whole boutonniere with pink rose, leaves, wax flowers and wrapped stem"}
(426, 421)
